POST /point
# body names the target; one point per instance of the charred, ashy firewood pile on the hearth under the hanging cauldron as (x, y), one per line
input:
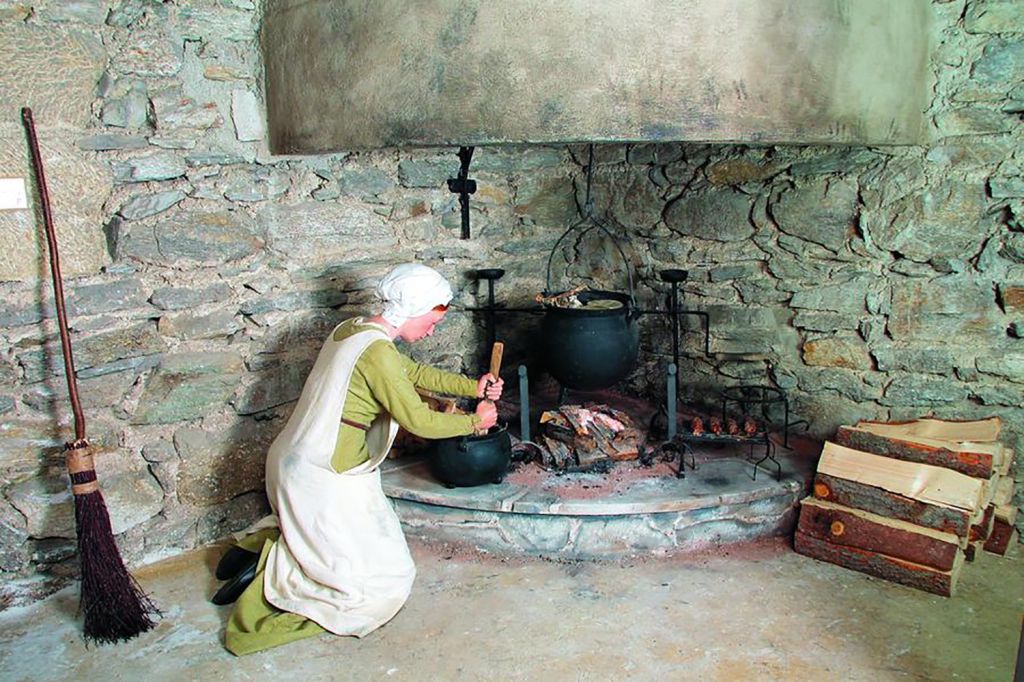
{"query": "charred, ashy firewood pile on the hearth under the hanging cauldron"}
(587, 437)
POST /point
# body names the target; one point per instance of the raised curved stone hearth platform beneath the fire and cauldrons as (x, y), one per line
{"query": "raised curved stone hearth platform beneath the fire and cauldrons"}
(560, 518)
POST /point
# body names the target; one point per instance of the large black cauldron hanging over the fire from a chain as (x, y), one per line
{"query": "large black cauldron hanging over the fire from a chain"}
(591, 348)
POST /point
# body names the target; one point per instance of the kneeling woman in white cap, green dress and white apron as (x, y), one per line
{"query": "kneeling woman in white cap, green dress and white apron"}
(333, 557)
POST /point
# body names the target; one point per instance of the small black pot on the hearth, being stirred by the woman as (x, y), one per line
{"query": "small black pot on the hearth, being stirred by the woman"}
(474, 460)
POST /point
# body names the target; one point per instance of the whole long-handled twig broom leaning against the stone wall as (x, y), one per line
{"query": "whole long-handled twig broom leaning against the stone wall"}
(114, 605)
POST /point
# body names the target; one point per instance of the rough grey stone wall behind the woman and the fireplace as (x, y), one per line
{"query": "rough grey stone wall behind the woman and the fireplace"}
(202, 272)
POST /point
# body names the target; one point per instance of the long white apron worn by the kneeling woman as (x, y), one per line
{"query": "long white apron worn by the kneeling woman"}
(343, 560)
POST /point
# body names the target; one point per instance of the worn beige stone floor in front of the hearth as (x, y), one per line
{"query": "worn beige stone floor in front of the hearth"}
(754, 612)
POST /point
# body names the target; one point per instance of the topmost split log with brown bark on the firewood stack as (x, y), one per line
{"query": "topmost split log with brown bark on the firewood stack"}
(974, 459)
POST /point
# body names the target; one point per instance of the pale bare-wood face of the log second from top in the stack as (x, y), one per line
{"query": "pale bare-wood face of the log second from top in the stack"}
(935, 486)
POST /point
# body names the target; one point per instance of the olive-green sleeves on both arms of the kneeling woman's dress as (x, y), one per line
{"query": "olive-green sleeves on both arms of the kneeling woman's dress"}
(388, 379)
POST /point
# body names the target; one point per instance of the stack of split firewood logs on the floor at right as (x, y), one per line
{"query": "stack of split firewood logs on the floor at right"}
(910, 502)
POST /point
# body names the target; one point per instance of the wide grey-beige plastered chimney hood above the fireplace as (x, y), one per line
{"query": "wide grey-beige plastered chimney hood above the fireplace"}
(353, 74)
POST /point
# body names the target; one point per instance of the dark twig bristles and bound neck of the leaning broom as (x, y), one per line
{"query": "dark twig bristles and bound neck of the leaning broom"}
(115, 607)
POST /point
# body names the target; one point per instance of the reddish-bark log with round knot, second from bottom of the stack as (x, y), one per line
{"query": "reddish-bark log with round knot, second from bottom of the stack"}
(861, 530)
